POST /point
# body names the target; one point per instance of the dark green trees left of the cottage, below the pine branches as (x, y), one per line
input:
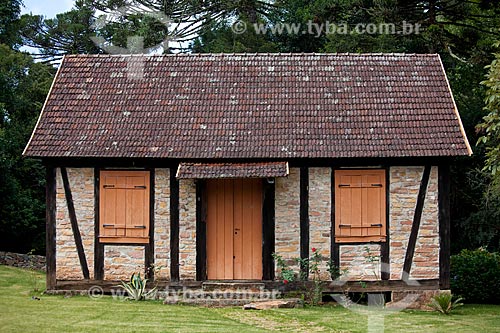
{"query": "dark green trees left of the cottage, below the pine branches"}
(23, 87)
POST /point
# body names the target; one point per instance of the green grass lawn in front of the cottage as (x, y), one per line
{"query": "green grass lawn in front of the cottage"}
(20, 313)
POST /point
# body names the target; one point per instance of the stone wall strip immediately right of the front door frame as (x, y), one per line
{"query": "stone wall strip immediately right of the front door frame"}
(287, 216)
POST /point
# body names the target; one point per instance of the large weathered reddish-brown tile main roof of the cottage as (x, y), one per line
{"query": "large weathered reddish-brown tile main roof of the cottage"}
(277, 106)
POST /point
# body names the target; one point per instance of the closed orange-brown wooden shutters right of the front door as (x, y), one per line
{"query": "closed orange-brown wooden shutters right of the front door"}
(360, 206)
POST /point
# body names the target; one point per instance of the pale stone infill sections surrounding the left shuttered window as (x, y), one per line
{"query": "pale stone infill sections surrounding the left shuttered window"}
(120, 261)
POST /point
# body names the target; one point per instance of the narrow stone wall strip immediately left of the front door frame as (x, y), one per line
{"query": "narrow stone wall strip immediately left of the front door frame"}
(187, 229)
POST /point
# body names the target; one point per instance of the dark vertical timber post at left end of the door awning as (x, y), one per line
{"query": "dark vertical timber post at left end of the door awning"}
(174, 226)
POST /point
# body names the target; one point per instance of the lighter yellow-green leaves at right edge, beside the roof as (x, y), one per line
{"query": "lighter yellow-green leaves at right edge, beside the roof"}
(490, 126)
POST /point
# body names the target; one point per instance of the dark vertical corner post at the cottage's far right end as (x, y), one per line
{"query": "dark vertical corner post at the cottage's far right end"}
(444, 226)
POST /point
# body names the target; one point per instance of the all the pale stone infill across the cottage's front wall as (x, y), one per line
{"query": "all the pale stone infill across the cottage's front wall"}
(362, 260)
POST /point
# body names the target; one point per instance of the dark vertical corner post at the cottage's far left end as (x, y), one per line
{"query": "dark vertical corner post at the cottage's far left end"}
(50, 226)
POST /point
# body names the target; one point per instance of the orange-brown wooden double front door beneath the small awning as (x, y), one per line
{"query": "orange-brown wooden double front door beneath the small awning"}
(234, 229)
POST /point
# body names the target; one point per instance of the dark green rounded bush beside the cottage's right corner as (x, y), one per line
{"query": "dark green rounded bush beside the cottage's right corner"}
(475, 275)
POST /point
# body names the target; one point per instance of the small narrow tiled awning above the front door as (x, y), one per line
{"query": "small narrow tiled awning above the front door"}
(232, 170)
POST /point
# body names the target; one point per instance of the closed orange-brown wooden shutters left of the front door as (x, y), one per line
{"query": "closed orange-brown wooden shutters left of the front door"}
(124, 207)
